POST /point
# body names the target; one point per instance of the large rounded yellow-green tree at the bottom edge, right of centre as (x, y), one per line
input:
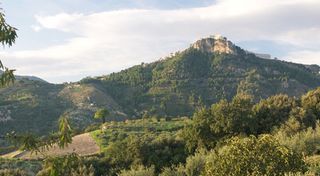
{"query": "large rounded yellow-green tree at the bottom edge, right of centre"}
(253, 156)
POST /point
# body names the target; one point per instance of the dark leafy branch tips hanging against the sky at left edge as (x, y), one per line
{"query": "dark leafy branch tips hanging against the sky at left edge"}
(8, 36)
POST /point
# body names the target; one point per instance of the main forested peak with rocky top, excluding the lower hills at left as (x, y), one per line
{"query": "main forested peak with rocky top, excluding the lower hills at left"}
(211, 69)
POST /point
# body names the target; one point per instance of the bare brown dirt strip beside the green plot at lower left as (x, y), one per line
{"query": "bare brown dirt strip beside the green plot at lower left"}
(82, 144)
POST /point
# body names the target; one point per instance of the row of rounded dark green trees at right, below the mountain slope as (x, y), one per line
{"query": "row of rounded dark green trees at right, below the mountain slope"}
(241, 116)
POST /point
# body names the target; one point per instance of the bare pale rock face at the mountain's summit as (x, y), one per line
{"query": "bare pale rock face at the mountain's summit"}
(215, 43)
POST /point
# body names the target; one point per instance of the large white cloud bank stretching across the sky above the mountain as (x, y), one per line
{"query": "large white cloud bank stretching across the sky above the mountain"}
(113, 40)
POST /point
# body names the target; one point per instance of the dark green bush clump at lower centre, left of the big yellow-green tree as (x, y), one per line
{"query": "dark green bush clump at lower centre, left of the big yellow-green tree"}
(161, 151)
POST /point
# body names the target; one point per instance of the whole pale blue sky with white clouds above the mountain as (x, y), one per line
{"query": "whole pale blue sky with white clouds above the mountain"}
(66, 40)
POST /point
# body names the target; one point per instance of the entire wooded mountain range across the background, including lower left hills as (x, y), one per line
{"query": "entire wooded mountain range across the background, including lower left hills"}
(210, 69)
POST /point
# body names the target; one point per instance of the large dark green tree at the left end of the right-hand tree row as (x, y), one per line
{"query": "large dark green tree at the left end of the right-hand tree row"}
(222, 120)
